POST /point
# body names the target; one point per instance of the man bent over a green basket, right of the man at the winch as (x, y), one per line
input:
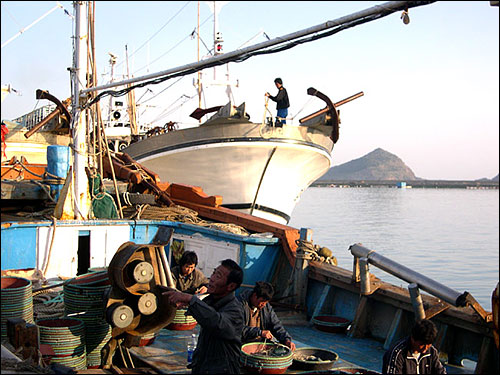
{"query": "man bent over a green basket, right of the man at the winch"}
(261, 322)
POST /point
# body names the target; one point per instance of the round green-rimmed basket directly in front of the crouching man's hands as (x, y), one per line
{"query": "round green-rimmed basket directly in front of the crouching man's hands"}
(265, 364)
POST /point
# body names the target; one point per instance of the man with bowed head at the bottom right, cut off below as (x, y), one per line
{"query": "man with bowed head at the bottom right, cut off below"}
(414, 354)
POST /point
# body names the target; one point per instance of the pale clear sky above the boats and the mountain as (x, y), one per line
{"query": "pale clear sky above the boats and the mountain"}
(431, 87)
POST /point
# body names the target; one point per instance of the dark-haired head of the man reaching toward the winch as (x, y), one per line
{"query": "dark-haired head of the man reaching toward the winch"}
(225, 279)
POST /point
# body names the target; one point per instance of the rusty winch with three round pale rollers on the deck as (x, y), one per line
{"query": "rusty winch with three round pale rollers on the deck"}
(135, 305)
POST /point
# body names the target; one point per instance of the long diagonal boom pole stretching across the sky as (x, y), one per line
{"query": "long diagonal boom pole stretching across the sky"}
(390, 7)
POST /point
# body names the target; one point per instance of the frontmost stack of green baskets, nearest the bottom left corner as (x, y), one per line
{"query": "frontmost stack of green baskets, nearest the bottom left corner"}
(66, 336)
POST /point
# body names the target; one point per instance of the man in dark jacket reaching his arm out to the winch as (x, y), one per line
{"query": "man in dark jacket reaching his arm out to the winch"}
(220, 316)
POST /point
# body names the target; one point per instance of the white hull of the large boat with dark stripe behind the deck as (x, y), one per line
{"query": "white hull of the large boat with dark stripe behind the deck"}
(256, 169)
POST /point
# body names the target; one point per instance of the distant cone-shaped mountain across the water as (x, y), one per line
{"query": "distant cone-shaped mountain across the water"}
(376, 165)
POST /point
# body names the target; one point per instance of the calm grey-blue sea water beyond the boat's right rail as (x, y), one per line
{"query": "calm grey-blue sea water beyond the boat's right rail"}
(449, 235)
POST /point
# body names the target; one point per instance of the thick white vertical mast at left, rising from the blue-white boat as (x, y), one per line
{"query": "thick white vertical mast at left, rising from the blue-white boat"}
(81, 197)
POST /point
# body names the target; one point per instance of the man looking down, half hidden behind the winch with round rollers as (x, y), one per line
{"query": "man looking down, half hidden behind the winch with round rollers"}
(187, 277)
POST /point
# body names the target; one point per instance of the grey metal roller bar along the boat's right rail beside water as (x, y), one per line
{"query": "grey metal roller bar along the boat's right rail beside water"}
(439, 290)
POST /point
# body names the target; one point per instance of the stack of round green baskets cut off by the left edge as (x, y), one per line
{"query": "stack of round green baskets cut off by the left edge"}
(16, 301)
